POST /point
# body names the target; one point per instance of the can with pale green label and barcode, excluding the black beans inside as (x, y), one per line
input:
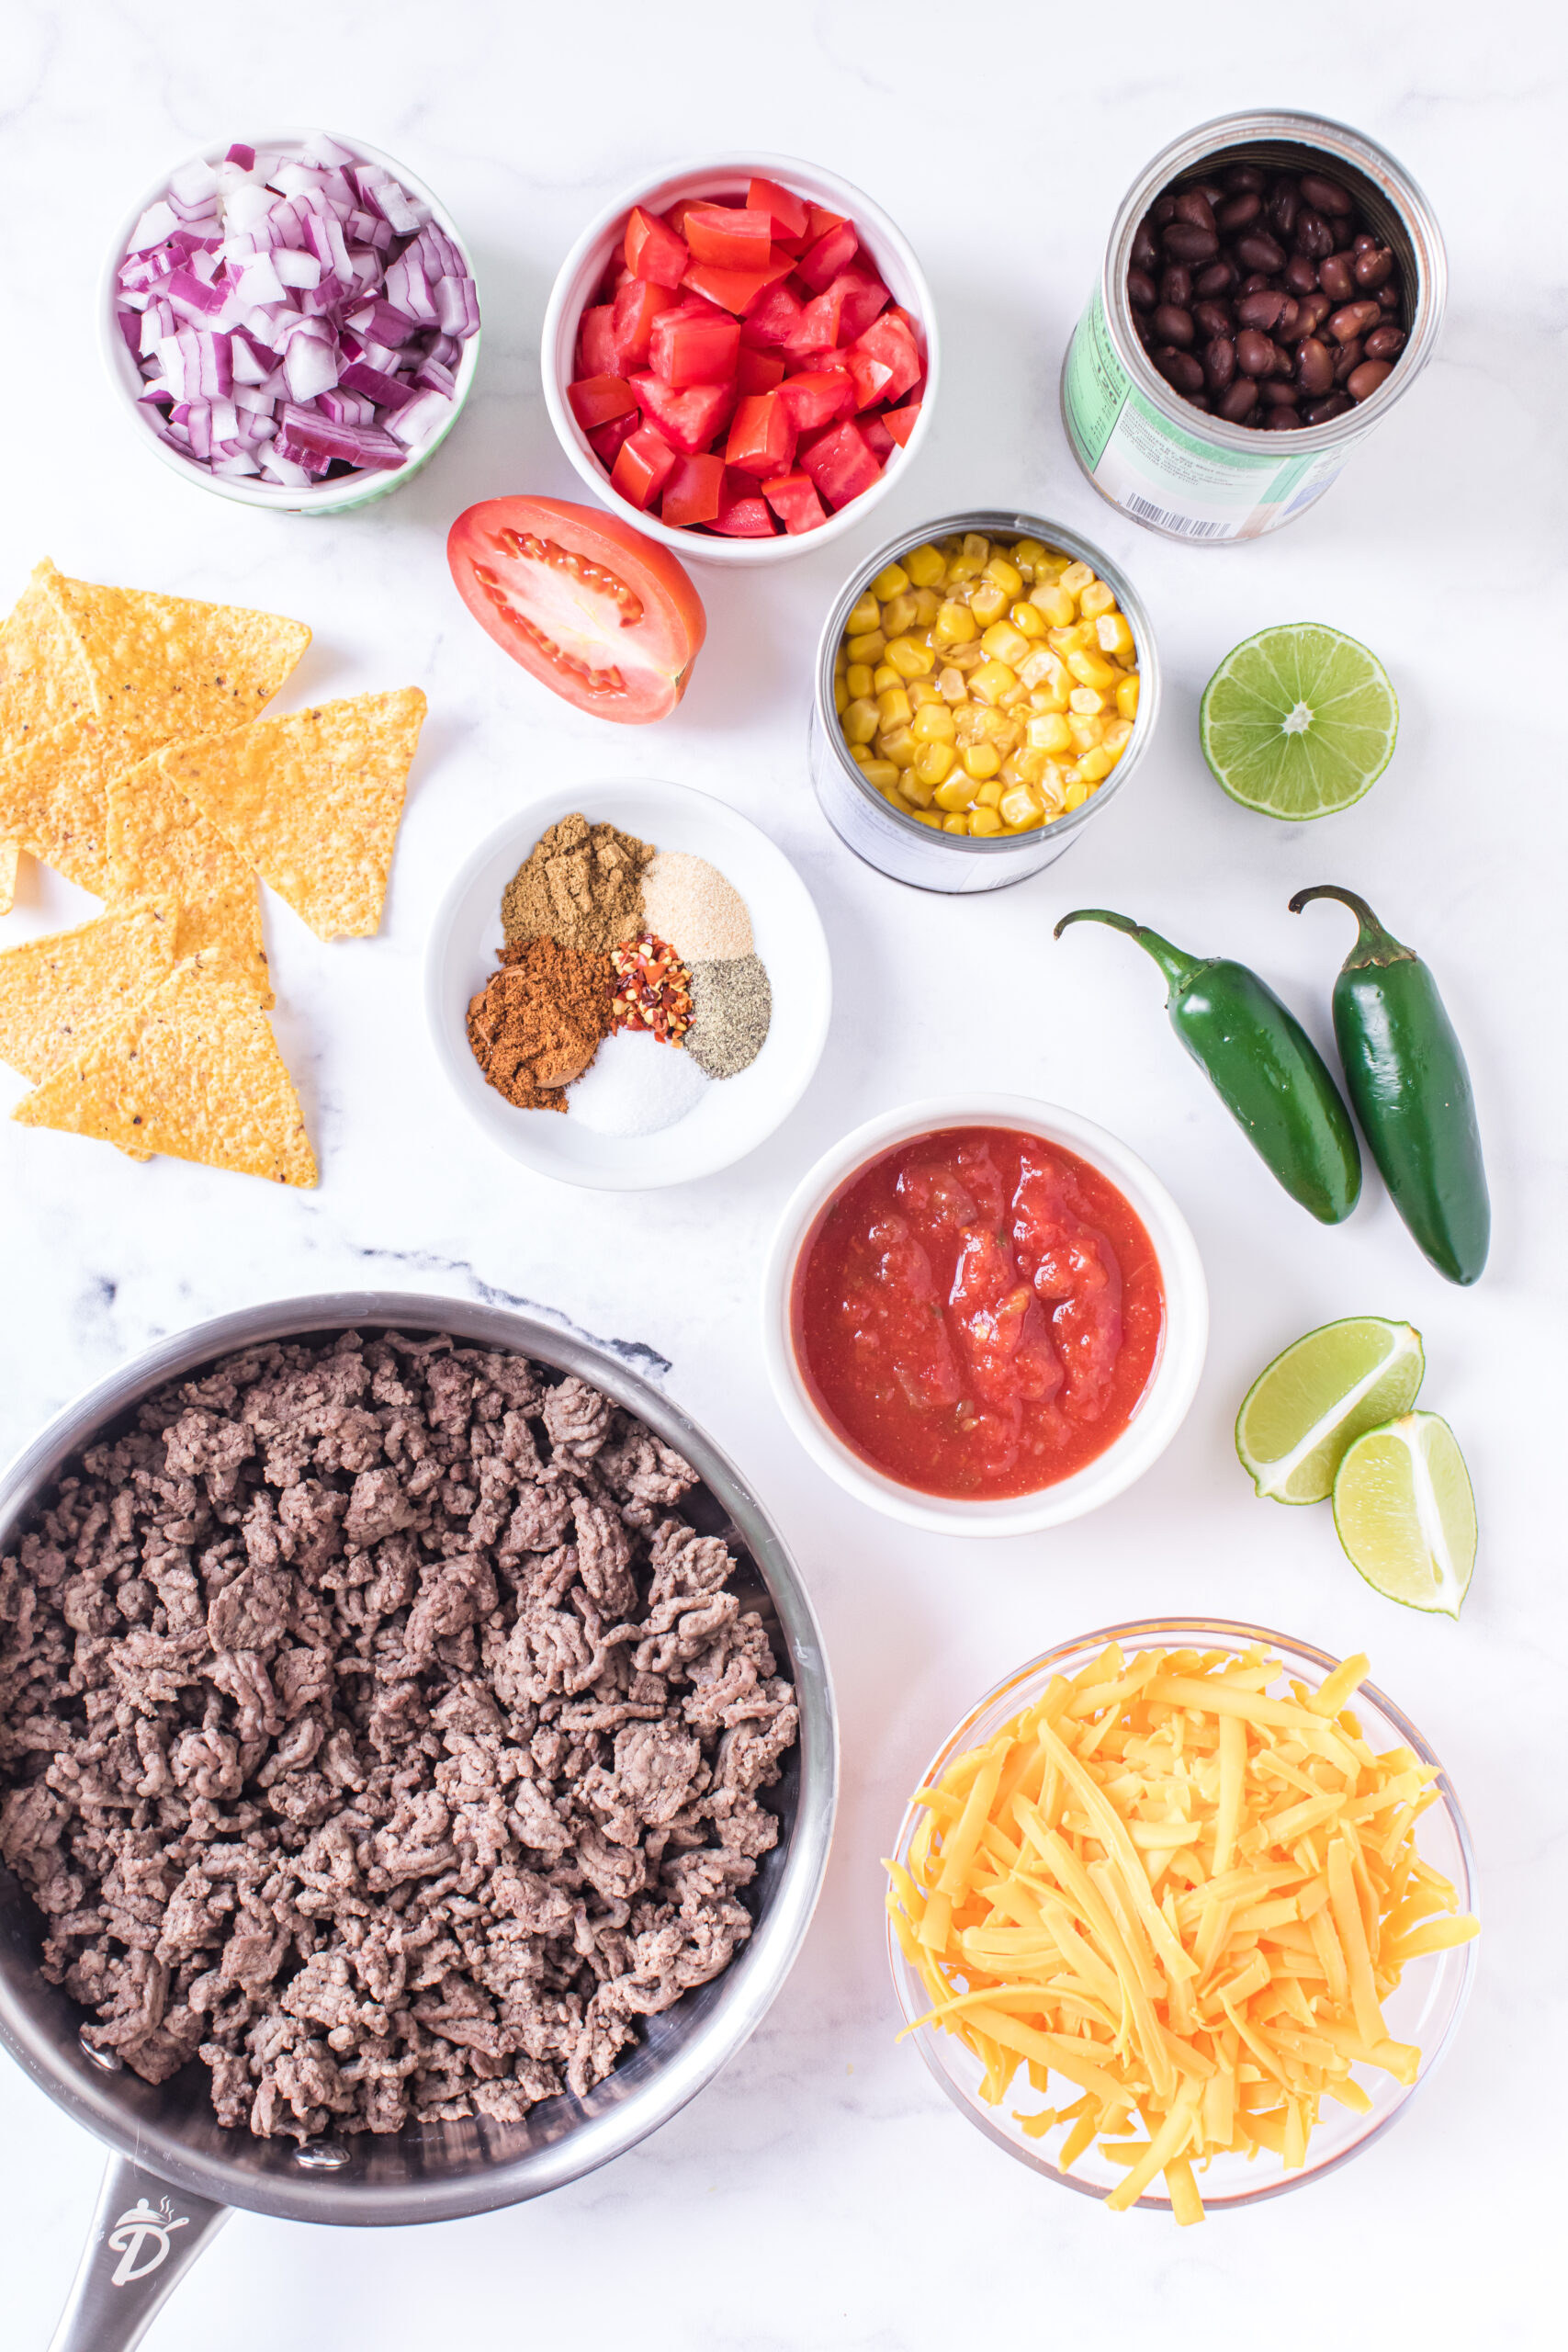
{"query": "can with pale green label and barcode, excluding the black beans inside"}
(1195, 476)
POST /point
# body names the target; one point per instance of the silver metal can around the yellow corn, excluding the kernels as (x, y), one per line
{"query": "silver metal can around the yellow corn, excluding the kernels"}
(998, 523)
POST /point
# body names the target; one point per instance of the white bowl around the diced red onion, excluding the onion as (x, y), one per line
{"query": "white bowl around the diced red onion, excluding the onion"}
(349, 490)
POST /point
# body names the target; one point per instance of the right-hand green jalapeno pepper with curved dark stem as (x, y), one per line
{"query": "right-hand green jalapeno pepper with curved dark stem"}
(1412, 1090)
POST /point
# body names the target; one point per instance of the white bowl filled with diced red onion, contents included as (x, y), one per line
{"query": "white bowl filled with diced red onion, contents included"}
(293, 323)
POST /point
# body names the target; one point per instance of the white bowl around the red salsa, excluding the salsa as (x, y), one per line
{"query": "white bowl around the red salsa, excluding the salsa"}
(1165, 1401)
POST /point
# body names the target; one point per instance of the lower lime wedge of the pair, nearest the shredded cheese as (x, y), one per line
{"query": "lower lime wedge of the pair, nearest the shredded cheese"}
(1407, 1514)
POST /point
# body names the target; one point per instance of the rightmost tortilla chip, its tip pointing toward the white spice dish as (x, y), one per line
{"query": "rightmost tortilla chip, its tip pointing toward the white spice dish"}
(311, 801)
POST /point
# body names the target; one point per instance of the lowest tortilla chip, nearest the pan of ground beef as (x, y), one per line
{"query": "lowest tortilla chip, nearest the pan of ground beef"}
(194, 1074)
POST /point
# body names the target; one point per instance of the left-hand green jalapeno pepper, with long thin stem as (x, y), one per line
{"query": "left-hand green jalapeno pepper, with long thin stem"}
(1264, 1067)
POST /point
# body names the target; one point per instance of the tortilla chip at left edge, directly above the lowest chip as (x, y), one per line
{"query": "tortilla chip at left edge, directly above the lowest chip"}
(55, 991)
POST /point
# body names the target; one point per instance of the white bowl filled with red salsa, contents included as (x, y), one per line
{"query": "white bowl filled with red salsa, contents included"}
(984, 1316)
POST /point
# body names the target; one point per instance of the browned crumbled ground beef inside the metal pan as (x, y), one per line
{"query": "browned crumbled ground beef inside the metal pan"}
(375, 1730)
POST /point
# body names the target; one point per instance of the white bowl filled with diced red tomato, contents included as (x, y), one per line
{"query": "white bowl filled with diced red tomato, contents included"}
(742, 356)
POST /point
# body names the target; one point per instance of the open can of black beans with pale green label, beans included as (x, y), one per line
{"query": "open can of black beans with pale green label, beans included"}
(1273, 286)
